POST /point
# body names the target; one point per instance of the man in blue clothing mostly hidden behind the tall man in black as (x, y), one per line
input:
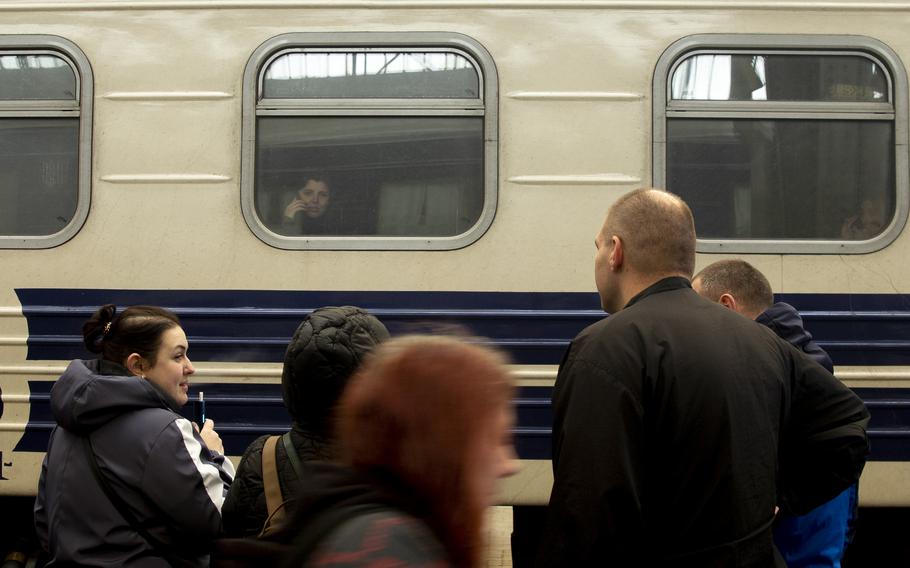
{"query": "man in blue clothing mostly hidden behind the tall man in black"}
(819, 538)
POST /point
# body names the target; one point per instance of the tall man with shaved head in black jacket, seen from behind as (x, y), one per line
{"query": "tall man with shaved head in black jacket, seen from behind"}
(679, 425)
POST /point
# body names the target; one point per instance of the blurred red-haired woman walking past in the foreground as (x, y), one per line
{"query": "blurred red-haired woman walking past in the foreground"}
(424, 428)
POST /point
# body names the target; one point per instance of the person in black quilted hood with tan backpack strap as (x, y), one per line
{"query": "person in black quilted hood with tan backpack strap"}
(324, 352)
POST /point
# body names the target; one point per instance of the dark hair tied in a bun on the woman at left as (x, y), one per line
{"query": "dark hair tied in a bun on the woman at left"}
(138, 329)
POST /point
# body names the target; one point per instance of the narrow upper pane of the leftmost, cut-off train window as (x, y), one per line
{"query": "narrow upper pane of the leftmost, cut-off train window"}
(36, 77)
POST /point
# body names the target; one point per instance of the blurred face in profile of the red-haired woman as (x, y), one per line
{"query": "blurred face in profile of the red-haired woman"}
(495, 456)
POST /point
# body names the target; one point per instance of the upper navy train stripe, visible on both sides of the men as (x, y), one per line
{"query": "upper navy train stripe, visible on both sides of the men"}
(533, 327)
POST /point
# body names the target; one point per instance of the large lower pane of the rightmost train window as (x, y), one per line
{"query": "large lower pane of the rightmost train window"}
(783, 179)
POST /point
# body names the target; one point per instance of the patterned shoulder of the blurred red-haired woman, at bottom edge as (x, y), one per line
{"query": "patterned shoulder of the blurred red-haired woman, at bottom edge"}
(393, 536)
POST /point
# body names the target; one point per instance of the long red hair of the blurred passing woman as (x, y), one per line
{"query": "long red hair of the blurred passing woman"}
(417, 411)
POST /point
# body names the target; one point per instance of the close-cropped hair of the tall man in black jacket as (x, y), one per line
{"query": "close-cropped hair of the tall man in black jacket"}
(657, 230)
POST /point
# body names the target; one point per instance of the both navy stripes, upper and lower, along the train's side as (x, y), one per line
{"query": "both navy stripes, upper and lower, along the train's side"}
(534, 327)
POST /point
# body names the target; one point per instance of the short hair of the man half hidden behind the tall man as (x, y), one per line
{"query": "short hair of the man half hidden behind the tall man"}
(739, 278)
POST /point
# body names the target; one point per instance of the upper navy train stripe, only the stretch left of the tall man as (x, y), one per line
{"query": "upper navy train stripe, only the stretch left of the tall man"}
(255, 326)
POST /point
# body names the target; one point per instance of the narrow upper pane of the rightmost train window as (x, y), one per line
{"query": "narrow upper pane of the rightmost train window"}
(767, 77)
